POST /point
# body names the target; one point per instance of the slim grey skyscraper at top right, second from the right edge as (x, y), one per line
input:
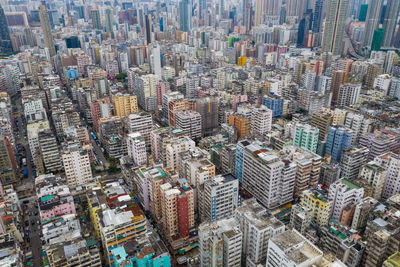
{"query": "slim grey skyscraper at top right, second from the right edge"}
(372, 22)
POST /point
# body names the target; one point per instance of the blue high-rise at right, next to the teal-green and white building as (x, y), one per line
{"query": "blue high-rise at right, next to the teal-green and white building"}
(338, 139)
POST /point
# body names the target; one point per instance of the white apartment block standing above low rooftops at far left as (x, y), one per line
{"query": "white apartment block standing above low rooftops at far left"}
(77, 166)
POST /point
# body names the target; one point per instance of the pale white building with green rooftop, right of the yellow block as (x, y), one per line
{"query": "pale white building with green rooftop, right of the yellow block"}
(343, 193)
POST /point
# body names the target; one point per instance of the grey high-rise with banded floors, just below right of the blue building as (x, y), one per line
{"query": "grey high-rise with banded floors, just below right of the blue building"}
(352, 160)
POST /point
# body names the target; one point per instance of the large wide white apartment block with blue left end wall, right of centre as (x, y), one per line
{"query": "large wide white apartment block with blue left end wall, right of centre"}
(264, 174)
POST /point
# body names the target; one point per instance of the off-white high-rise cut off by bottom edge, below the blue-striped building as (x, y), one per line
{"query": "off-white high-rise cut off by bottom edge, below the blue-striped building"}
(220, 243)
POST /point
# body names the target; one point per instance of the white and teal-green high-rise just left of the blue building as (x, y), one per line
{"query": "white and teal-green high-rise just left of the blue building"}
(306, 136)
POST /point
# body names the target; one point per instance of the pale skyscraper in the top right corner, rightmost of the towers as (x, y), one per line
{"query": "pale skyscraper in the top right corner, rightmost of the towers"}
(390, 21)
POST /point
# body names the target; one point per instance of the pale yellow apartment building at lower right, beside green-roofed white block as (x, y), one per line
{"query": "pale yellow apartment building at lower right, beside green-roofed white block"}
(319, 205)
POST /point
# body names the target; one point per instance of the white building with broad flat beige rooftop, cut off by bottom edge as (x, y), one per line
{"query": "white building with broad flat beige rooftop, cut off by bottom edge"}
(291, 249)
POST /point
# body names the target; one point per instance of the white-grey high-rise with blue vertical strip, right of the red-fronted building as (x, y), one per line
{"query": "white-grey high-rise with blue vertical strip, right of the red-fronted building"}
(219, 198)
